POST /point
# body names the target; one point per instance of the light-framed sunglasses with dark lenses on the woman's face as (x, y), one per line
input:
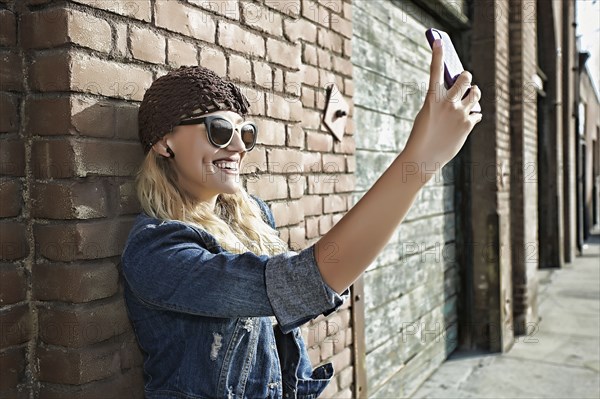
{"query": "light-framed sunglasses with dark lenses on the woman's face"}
(220, 130)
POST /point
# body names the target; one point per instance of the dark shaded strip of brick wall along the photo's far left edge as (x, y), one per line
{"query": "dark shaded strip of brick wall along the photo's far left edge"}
(16, 318)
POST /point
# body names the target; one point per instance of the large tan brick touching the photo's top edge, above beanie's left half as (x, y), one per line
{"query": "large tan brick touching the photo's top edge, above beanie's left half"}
(186, 20)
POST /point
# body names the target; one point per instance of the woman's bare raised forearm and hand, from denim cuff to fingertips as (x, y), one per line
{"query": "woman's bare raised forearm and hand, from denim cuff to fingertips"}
(439, 132)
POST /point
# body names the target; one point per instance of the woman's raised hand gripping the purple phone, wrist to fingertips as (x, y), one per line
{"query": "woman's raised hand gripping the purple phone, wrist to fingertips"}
(442, 125)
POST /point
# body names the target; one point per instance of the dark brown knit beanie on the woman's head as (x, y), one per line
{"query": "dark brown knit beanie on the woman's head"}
(184, 92)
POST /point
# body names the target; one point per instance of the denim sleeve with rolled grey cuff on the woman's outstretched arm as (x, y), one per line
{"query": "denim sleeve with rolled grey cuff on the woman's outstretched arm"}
(169, 265)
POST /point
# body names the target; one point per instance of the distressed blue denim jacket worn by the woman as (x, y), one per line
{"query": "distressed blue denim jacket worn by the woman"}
(214, 324)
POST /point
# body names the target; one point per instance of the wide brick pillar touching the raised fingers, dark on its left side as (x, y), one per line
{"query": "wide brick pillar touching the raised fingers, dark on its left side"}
(489, 146)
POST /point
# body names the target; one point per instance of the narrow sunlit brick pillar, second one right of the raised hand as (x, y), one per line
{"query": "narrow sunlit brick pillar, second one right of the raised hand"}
(524, 158)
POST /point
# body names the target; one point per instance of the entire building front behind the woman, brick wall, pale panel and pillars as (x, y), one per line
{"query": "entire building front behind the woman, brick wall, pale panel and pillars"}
(458, 275)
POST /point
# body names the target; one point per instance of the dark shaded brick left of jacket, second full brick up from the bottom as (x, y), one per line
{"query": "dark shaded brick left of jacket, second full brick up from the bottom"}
(81, 325)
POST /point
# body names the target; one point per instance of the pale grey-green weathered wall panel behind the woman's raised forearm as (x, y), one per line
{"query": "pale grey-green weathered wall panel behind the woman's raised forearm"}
(411, 287)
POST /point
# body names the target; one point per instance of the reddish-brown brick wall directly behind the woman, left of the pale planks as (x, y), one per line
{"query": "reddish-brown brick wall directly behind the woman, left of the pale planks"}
(73, 73)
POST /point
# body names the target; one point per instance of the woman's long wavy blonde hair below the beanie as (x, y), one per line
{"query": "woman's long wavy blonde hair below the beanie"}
(236, 222)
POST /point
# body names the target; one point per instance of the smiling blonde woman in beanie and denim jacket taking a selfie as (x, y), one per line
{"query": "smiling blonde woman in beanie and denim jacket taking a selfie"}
(215, 297)
